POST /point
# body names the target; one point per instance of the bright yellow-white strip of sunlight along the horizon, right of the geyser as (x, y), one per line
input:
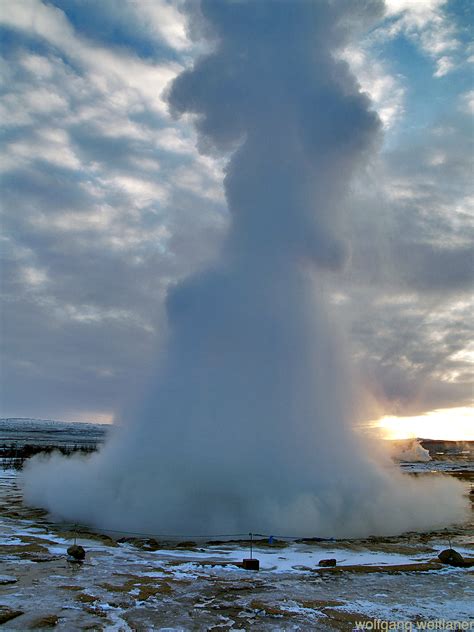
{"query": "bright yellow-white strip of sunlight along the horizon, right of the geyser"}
(451, 424)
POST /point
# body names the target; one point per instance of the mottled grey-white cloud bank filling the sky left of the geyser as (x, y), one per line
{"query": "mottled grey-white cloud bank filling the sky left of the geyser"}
(94, 231)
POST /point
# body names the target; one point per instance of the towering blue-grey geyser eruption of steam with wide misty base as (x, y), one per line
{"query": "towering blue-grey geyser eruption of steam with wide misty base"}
(248, 426)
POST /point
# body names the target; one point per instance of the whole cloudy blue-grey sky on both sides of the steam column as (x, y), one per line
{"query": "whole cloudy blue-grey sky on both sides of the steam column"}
(107, 202)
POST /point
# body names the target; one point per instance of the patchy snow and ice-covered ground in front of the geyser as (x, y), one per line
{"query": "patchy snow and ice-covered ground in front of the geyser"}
(143, 585)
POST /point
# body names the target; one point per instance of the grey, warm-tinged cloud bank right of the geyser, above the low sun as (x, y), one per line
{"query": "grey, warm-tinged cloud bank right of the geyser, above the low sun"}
(409, 283)
